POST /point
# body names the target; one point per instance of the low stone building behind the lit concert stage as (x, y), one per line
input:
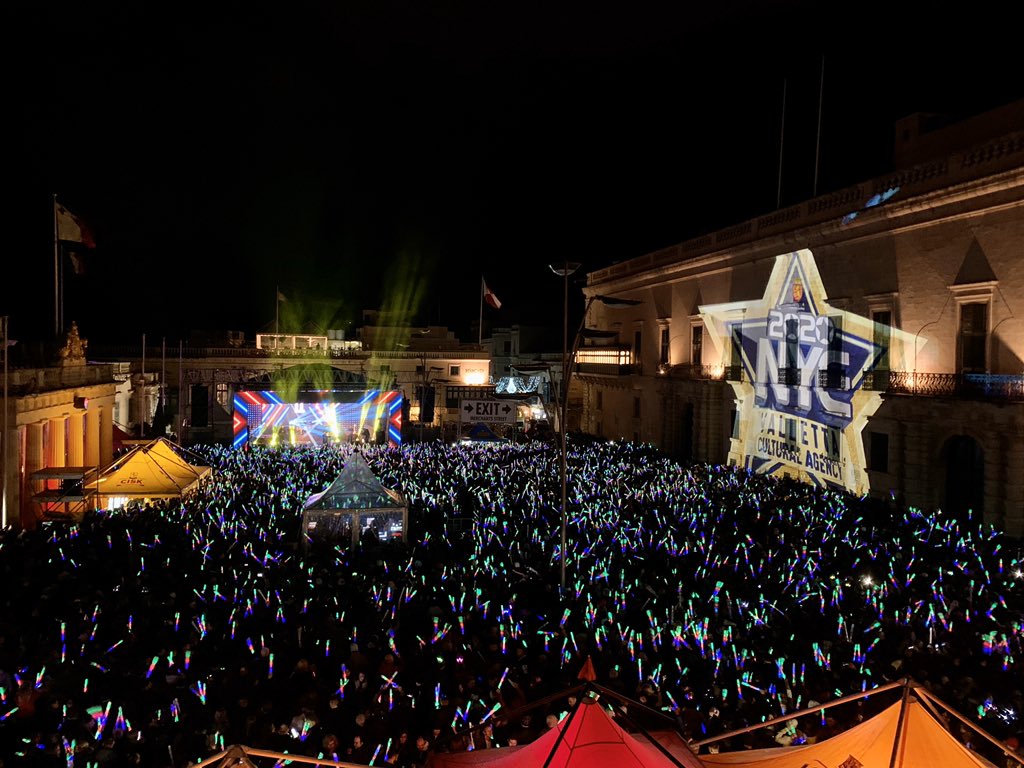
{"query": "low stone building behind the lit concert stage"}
(192, 388)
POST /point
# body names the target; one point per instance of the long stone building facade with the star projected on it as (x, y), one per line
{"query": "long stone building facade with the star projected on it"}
(873, 339)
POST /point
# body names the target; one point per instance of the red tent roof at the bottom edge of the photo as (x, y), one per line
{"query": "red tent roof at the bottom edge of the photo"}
(591, 740)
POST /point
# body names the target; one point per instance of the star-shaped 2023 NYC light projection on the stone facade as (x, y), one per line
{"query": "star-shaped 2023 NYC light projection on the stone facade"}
(801, 402)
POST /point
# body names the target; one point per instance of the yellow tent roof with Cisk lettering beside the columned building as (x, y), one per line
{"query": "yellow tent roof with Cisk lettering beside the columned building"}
(151, 472)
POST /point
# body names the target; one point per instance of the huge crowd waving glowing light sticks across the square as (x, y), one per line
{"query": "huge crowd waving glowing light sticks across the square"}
(161, 634)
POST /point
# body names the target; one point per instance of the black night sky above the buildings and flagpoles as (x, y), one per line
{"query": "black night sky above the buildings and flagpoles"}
(378, 154)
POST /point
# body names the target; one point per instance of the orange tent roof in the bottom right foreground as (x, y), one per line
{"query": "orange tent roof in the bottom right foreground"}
(924, 743)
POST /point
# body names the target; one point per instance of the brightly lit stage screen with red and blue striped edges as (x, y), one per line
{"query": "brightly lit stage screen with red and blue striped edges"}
(337, 417)
